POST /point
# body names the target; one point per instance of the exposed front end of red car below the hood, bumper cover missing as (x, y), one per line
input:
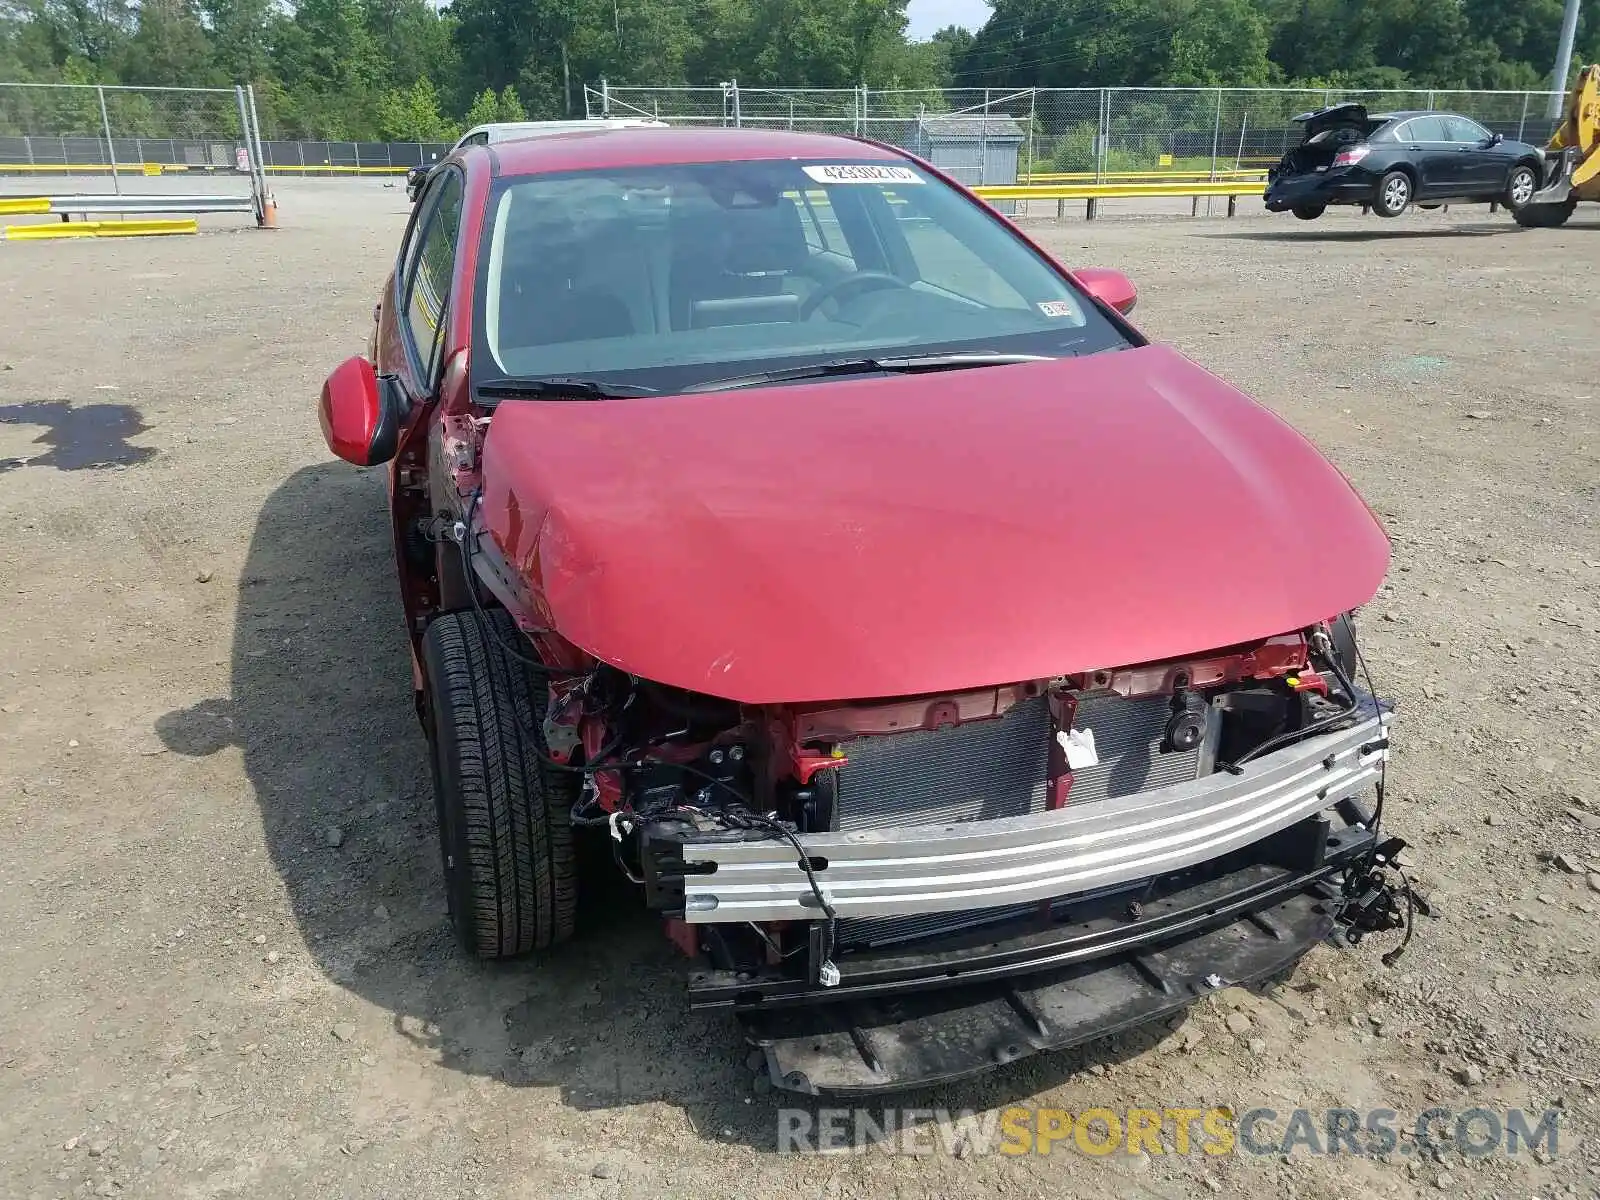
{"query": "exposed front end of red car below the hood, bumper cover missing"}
(905, 892)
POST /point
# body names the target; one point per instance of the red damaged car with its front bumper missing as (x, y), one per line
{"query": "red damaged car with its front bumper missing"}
(959, 674)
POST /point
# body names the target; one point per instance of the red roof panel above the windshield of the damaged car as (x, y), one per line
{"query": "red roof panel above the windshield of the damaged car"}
(599, 150)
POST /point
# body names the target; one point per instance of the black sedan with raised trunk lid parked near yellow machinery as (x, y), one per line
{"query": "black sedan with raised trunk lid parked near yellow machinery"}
(1393, 159)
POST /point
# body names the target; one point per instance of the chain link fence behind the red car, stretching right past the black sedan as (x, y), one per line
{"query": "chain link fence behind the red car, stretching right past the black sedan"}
(1092, 134)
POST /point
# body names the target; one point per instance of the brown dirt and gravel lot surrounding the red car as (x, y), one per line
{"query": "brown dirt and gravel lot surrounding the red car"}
(226, 961)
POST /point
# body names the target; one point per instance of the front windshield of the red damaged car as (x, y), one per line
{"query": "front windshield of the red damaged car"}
(673, 276)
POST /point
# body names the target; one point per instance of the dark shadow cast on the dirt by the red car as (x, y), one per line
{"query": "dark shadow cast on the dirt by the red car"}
(322, 711)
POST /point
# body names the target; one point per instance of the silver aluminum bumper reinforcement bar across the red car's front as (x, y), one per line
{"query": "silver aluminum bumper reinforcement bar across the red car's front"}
(946, 868)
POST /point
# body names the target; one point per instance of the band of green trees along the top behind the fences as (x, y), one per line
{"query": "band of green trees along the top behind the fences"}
(366, 68)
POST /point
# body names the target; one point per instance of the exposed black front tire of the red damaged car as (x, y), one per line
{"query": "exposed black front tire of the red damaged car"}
(505, 817)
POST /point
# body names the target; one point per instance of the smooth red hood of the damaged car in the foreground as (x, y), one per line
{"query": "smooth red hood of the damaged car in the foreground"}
(924, 534)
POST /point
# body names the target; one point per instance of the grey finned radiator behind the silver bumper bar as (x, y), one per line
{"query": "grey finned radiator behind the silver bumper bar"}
(994, 769)
